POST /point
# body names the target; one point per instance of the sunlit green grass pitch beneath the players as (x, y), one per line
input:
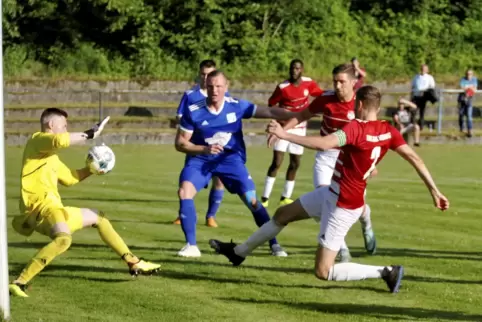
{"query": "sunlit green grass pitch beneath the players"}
(442, 252)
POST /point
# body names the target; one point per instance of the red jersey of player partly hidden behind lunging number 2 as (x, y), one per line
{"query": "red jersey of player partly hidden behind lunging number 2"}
(336, 114)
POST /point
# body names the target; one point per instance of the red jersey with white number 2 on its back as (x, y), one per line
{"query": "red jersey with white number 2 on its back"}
(367, 142)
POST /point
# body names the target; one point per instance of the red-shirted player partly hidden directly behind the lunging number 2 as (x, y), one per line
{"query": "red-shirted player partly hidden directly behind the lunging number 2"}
(337, 108)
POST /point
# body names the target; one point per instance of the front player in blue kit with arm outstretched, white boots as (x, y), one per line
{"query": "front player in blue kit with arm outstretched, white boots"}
(210, 133)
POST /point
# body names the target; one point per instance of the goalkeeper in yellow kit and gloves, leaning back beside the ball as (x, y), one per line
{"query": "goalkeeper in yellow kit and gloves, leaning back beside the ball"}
(42, 209)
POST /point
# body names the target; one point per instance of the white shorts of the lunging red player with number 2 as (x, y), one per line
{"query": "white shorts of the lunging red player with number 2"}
(320, 204)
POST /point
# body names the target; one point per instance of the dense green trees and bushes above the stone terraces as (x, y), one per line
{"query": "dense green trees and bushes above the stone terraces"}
(252, 40)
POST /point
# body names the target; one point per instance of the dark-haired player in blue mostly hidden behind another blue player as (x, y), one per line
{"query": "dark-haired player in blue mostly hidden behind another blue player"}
(195, 94)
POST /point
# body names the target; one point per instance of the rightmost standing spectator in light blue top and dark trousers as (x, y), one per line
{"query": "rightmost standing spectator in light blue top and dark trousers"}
(469, 84)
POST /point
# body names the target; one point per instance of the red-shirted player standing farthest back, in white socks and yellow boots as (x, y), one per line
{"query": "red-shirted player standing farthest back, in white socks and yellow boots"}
(293, 94)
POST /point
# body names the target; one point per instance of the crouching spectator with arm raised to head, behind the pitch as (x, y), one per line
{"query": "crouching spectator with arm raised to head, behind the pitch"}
(403, 120)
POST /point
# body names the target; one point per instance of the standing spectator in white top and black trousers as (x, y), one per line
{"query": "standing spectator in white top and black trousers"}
(423, 90)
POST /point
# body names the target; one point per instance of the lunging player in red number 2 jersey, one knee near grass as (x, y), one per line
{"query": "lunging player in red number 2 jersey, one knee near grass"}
(364, 142)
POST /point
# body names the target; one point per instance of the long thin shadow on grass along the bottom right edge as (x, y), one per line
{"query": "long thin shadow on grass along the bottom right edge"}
(375, 311)
